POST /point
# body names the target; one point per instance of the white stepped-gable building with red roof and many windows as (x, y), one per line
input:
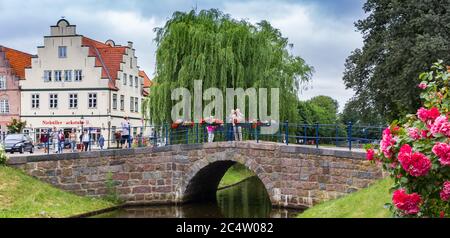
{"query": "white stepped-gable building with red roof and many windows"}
(75, 82)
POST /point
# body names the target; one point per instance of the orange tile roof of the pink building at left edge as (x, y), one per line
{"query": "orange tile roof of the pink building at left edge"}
(18, 61)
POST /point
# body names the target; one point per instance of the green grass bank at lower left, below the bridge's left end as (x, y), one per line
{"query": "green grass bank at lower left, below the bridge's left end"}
(24, 196)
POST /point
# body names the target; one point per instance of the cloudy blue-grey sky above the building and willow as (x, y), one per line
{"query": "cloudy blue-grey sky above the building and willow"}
(322, 31)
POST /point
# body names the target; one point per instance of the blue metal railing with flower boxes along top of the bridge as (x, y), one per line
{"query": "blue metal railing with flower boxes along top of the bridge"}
(317, 135)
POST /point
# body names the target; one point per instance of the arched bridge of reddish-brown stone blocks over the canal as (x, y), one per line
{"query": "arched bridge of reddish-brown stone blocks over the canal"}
(294, 176)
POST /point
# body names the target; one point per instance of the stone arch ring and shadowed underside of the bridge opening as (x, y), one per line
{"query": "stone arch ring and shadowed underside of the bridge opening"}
(201, 181)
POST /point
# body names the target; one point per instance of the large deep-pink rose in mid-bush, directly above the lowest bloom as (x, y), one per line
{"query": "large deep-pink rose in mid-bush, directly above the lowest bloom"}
(416, 164)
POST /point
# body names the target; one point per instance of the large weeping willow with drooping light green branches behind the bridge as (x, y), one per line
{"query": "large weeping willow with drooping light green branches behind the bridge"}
(223, 53)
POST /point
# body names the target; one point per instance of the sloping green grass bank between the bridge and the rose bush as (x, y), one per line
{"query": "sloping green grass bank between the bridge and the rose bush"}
(366, 203)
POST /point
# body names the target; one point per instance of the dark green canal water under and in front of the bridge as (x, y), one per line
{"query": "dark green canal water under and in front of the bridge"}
(248, 199)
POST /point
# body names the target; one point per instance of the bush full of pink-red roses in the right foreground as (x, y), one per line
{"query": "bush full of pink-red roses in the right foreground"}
(415, 151)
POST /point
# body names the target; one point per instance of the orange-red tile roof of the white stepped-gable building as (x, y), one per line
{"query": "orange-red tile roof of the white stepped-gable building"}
(107, 57)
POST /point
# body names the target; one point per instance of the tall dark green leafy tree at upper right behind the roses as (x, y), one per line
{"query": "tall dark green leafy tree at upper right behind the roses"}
(401, 39)
